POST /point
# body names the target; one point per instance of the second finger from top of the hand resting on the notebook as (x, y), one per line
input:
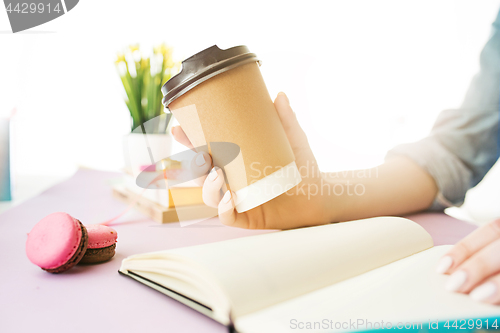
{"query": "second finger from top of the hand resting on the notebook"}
(477, 268)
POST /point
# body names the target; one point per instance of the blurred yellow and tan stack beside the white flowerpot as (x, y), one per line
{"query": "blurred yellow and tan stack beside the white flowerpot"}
(160, 199)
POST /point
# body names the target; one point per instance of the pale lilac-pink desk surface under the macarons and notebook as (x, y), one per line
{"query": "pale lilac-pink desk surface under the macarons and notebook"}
(96, 298)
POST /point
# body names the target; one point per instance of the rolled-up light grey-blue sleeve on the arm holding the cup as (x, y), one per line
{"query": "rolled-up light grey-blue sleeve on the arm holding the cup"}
(464, 143)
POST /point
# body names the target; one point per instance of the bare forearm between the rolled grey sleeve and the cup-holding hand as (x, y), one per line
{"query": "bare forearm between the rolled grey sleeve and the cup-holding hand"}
(397, 187)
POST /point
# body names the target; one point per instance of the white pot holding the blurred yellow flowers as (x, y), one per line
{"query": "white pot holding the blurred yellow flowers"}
(145, 149)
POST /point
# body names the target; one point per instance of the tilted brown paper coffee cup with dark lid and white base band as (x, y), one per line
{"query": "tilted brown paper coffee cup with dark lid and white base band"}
(231, 116)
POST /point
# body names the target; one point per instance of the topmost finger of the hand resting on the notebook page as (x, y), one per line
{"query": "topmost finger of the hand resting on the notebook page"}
(471, 244)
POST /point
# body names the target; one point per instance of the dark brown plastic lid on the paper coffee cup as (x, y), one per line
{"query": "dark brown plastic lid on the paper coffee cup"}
(203, 66)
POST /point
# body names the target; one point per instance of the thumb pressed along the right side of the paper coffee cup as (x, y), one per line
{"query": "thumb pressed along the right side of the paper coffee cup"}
(295, 133)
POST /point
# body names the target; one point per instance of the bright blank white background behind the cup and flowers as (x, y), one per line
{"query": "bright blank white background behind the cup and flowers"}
(362, 76)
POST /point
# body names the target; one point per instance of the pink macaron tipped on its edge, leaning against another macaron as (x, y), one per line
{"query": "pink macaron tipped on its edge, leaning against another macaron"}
(57, 243)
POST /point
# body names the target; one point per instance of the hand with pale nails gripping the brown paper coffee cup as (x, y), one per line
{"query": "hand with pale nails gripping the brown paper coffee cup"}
(296, 208)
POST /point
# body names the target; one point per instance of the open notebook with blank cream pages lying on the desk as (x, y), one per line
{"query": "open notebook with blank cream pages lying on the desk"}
(373, 270)
